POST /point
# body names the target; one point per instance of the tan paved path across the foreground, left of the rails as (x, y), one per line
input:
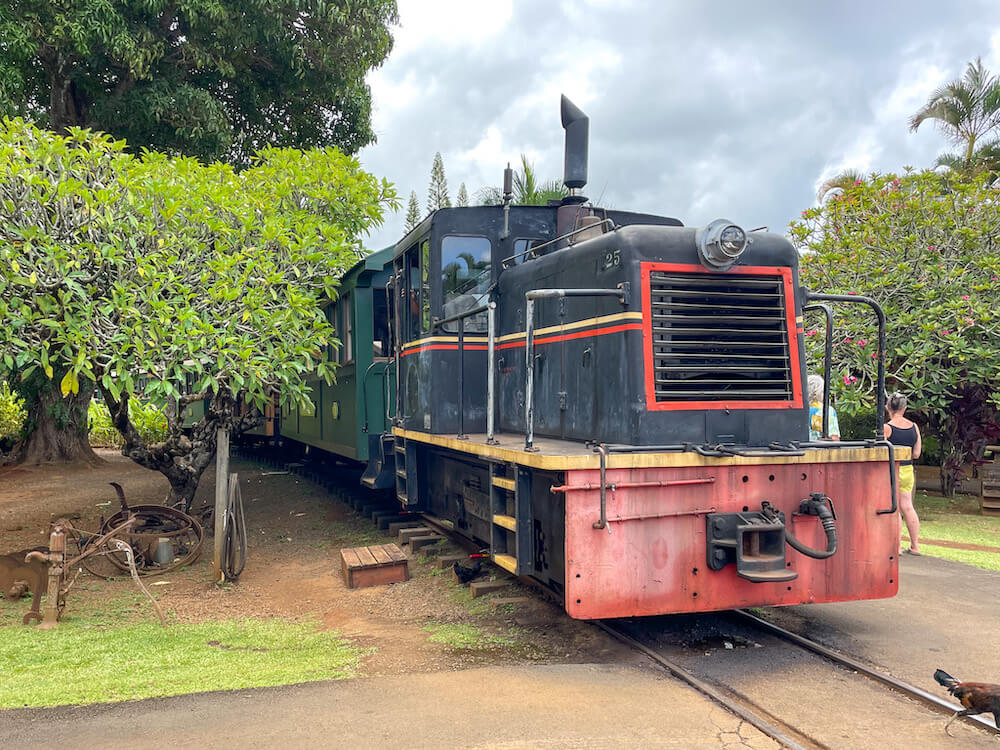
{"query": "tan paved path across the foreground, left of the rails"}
(563, 706)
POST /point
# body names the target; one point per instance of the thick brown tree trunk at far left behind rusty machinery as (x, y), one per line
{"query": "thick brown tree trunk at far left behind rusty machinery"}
(56, 427)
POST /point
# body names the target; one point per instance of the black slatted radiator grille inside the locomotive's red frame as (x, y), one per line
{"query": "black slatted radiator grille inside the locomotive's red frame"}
(719, 337)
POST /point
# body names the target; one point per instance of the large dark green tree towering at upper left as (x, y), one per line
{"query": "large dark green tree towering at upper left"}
(216, 79)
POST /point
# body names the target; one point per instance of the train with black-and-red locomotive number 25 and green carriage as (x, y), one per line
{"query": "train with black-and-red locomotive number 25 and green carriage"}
(609, 402)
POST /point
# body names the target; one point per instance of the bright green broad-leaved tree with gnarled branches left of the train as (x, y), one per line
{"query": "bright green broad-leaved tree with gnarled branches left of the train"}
(170, 281)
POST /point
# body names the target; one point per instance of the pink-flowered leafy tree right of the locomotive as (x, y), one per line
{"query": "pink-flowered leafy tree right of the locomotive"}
(925, 247)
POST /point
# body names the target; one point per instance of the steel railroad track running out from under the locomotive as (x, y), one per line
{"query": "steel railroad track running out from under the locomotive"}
(768, 721)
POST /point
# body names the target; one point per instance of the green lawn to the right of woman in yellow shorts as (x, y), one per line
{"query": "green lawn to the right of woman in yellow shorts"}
(957, 520)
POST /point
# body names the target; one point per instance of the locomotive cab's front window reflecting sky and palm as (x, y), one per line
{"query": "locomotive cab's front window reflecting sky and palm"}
(465, 278)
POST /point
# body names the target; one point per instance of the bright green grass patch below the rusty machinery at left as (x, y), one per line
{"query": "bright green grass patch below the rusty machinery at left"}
(93, 658)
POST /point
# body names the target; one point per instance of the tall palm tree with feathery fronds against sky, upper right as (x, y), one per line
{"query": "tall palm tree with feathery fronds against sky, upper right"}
(965, 110)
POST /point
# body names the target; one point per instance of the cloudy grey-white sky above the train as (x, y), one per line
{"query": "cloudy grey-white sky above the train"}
(698, 110)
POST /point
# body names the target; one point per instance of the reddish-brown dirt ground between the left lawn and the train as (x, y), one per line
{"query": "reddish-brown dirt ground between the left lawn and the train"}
(296, 530)
